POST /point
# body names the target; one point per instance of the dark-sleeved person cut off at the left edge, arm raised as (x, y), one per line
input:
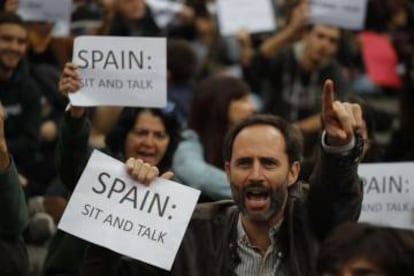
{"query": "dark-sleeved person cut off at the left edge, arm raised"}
(13, 213)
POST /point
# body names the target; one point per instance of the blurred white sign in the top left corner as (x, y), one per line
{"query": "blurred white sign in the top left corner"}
(57, 11)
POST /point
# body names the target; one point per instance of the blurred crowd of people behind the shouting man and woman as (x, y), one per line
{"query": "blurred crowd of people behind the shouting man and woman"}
(213, 81)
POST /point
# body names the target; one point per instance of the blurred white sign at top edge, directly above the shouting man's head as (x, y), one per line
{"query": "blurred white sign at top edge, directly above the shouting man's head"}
(252, 15)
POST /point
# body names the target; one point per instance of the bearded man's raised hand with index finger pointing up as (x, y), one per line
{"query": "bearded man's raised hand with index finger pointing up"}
(341, 119)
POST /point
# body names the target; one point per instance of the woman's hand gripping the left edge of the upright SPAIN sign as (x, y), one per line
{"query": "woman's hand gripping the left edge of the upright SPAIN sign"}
(69, 82)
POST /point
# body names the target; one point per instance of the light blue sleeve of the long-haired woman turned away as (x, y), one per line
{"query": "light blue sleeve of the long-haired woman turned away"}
(192, 169)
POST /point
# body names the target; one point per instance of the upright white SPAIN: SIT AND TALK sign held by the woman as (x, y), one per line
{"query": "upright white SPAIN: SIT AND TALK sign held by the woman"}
(122, 71)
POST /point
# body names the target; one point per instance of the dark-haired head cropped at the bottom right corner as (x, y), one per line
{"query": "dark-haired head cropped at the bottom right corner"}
(356, 249)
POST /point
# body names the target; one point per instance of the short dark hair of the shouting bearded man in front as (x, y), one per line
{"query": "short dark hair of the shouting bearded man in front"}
(291, 134)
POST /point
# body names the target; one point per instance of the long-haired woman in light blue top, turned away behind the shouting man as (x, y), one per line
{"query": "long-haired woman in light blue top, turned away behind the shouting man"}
(218, 102)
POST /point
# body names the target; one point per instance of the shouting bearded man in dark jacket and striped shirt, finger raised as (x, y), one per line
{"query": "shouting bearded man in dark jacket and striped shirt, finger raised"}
(275, 223)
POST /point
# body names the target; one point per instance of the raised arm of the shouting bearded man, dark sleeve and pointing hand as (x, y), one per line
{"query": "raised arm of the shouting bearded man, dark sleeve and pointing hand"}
(335, 188)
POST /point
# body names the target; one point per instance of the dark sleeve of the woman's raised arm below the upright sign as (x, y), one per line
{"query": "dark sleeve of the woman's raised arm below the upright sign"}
(73, 149)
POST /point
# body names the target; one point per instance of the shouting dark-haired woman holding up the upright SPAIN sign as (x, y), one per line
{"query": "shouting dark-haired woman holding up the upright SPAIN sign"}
(149, 134)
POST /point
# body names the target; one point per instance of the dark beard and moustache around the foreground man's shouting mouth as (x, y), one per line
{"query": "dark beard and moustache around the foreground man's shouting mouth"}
(277, 197)
